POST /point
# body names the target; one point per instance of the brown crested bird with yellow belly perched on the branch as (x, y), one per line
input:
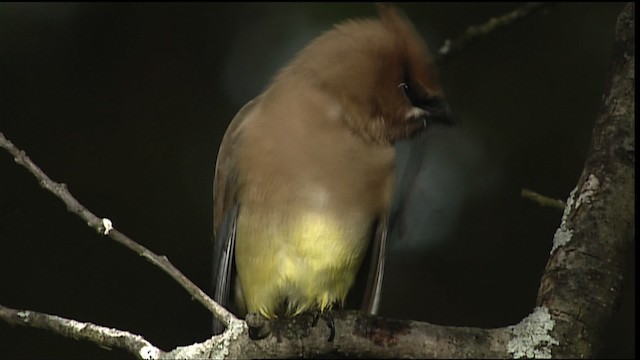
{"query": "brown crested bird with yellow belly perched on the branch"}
(305, 172)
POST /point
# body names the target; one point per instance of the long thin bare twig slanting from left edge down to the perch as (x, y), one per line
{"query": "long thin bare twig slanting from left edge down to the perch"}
(104, 226)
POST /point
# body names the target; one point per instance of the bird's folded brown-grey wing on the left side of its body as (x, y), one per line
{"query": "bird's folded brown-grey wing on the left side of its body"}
(225, 210)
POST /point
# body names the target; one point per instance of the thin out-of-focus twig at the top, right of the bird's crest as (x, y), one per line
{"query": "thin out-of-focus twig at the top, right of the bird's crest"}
(473, 33)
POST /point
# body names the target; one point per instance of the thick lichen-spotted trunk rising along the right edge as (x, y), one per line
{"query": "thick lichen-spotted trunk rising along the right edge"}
(582, 280)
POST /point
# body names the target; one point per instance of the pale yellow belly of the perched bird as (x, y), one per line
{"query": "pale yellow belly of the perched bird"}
(291, 263)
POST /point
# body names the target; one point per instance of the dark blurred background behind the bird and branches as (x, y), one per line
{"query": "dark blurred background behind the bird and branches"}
(127, 104)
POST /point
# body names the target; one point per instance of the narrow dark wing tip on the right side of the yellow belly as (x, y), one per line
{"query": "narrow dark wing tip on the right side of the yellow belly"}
(373, 290)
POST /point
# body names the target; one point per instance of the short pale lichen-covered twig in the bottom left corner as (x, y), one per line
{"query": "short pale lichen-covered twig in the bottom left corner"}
(104, 336)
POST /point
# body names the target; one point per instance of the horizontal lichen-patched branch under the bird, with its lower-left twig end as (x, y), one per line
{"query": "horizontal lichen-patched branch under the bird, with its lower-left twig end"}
(356, 334)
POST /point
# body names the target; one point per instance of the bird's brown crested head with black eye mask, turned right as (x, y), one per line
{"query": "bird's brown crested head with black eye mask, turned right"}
(382, 74)
